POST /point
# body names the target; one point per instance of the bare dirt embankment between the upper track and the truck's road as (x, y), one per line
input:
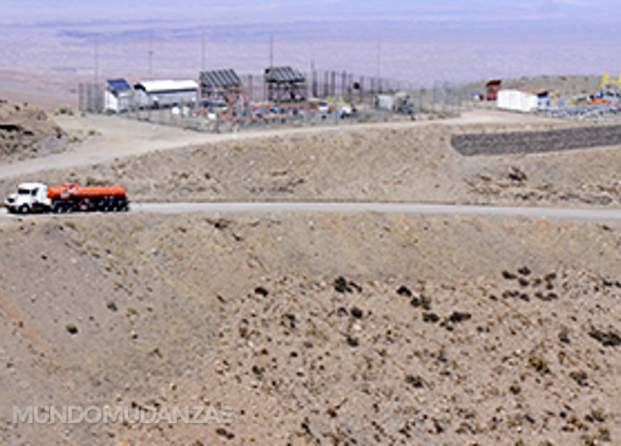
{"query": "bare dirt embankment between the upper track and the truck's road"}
(414, 164)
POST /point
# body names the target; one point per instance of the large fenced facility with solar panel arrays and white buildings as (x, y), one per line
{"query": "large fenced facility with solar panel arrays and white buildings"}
(222, 99)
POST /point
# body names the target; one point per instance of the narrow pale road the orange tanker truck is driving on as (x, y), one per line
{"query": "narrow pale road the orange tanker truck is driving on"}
(398, 208)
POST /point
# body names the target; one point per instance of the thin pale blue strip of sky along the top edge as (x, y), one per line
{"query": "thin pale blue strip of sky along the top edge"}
(228, 12)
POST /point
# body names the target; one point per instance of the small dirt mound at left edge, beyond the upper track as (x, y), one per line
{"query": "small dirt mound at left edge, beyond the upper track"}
(26, 132)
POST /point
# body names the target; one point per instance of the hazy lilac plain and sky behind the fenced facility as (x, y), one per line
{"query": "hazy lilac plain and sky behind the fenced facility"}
(420, 43)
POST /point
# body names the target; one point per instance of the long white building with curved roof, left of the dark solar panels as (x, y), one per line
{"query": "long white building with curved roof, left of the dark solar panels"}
(166, 93)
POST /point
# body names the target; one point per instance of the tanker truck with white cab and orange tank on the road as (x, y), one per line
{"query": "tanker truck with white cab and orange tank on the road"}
(38, 197)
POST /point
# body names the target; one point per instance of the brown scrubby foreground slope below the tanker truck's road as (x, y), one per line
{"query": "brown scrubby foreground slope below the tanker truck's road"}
(362, 328)
